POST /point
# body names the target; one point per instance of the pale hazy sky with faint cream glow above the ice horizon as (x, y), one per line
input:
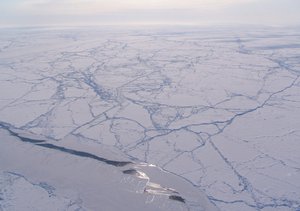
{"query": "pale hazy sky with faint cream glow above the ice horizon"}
(89, 12)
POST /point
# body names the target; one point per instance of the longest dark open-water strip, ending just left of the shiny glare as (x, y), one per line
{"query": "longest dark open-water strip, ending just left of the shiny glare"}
(85, 154)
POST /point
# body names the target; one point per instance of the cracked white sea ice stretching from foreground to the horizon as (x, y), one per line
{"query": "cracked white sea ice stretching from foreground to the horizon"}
(150, 119)
